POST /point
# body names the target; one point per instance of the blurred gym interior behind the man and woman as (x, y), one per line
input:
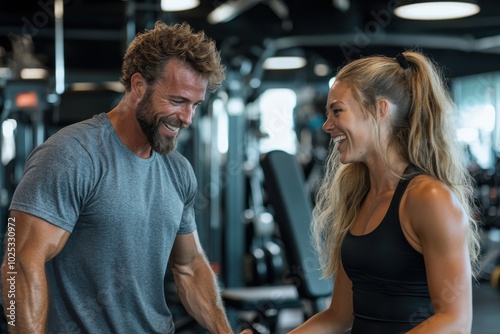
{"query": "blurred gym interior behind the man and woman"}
(60, 62)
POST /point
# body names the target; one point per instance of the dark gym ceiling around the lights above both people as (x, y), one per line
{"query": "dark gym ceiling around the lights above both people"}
(96, 33)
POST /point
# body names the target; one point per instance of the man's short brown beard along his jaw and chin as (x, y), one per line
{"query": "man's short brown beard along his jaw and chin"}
(150, 125)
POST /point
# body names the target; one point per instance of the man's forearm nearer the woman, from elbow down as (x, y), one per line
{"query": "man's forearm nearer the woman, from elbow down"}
(200, 296)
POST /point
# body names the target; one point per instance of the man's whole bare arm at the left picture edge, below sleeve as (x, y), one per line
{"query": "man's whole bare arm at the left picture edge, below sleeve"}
(30, 242)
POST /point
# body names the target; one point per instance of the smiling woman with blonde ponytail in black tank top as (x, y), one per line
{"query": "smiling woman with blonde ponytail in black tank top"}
(394, 216)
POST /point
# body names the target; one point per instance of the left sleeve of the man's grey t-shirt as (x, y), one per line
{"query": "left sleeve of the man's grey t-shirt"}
(56, 182)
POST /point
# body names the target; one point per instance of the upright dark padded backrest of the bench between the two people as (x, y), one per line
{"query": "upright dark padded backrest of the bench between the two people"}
(293, 213)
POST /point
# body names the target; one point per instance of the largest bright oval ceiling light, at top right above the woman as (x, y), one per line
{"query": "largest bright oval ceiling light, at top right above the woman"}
(436, 10)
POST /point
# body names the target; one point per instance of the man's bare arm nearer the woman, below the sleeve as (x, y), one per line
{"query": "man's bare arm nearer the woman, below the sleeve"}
(197, 285)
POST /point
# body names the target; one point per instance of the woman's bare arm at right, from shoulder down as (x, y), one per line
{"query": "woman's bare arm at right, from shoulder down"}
(440, 226)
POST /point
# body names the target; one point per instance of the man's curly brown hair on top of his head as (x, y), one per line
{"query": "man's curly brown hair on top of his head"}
(149, 52)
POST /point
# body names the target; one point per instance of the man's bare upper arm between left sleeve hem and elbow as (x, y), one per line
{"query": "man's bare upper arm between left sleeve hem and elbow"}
(35, 238)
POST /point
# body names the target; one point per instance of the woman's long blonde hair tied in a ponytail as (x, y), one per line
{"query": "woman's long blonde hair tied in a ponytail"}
(422, 134)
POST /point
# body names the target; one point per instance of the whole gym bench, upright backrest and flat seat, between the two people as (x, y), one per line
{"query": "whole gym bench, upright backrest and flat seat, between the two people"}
(284, 182)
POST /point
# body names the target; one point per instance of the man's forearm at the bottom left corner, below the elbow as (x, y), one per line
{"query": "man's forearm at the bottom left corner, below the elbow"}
(25, 300)
